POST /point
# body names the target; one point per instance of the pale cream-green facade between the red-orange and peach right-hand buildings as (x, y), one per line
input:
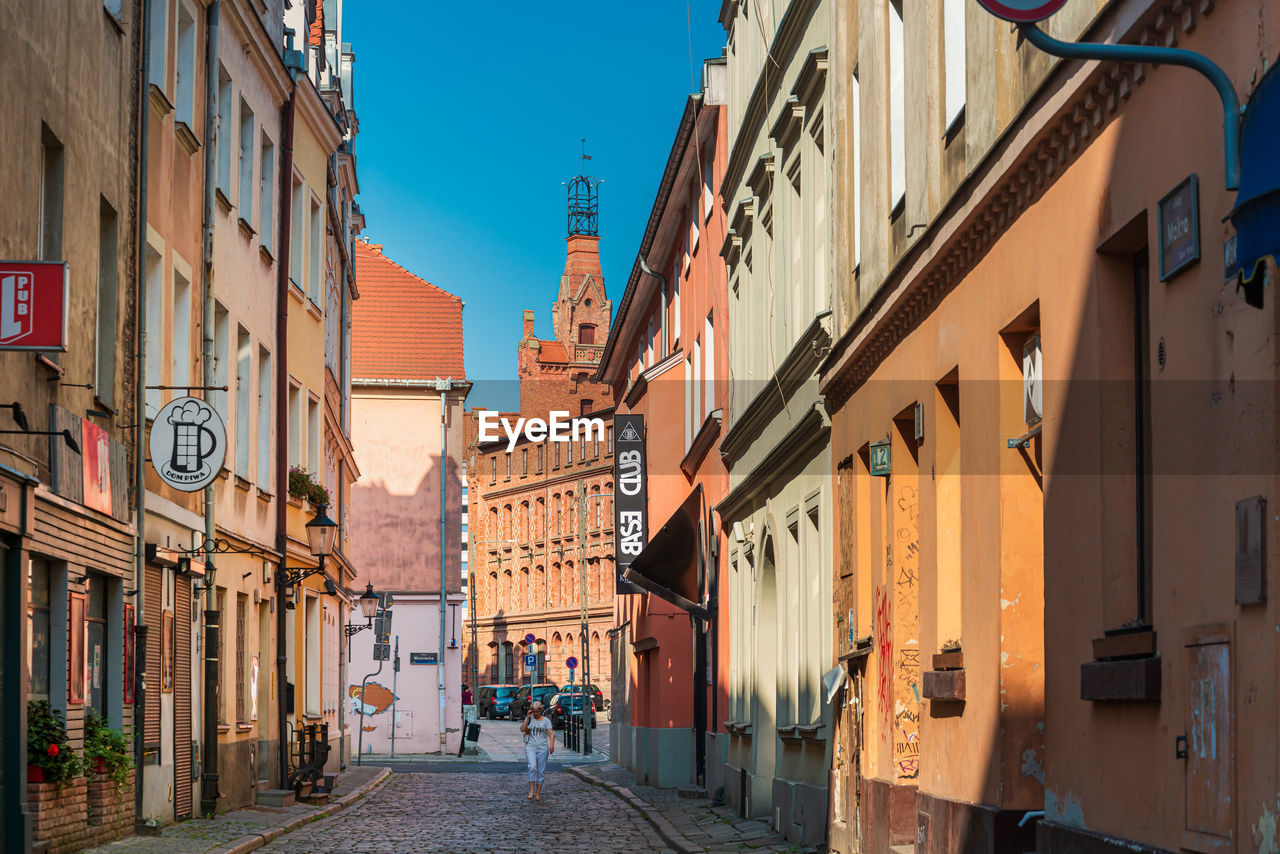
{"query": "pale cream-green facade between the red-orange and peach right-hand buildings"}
(778, 444)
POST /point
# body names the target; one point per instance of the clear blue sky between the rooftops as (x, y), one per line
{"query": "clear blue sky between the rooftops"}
(470, 122)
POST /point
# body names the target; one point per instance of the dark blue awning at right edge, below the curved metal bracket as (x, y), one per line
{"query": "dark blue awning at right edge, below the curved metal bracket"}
(1256, 216)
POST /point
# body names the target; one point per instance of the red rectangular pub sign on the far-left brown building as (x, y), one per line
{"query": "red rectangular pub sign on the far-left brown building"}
(34, 305)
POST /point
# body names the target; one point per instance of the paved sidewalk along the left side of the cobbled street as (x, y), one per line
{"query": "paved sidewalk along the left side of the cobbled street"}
(253, 828)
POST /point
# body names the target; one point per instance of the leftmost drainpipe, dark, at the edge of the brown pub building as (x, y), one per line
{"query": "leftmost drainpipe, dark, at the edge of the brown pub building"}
(140, 404)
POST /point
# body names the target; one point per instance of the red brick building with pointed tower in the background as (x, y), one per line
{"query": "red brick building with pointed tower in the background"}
(541, 515)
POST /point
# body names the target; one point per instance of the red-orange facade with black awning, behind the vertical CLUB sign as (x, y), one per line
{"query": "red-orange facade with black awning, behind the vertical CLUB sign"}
(668, 359)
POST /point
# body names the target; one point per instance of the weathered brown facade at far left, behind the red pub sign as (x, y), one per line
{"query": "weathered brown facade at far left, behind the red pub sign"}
(67, 523)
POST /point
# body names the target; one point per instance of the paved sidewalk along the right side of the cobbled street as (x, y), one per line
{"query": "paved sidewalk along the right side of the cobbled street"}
(712, 829)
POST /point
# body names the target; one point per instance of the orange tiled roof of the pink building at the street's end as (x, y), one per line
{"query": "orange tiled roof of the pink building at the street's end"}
(403, 326)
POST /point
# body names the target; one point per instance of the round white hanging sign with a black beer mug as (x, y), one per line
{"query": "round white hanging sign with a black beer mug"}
(189, 444)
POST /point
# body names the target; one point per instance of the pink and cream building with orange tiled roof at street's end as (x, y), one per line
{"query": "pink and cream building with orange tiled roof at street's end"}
(409, 391)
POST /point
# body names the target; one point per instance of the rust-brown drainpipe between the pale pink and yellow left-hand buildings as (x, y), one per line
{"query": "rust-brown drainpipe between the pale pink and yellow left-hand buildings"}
(282, 418)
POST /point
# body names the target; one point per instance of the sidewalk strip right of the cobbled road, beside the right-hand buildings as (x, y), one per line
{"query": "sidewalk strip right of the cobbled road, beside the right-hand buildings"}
(688, 824)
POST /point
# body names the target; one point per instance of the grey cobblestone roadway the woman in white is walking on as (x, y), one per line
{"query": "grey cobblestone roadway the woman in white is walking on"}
(464, 812)
